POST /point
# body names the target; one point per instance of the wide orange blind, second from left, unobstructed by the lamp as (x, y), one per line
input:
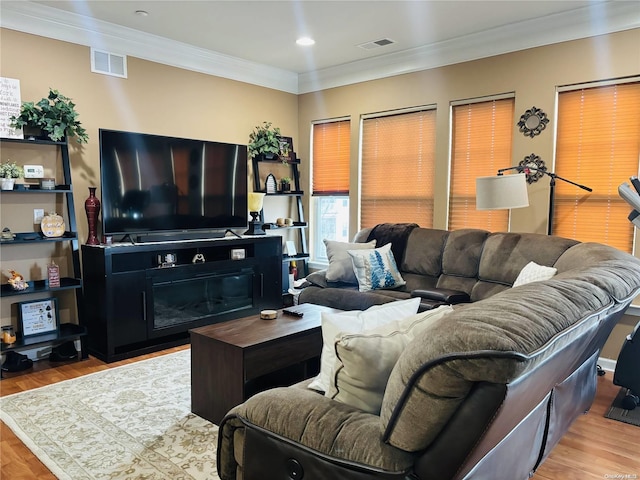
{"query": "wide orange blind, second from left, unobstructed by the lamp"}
(398, 155)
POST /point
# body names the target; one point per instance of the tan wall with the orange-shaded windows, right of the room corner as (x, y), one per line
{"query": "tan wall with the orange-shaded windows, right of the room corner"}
(532, 75)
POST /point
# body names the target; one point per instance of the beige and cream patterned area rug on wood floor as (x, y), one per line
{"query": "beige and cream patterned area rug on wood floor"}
(129, 422)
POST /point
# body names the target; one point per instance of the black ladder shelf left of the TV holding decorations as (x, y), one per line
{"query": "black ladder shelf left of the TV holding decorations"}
(67, 331)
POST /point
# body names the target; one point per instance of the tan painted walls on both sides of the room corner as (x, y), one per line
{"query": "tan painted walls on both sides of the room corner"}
(170, 101)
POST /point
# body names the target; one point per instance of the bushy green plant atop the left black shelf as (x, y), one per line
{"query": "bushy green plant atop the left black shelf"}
(54, 115)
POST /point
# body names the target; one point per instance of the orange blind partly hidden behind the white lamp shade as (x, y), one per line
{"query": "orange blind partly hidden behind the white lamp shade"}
(481, 144)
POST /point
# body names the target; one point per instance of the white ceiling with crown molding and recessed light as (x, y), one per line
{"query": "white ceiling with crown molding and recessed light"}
(256, 39)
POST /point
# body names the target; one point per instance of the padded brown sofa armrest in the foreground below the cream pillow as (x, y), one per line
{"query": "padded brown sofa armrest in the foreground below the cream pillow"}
(308, 419)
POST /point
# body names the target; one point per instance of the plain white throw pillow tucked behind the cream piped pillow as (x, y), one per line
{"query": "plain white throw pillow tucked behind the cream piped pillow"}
(352, 322)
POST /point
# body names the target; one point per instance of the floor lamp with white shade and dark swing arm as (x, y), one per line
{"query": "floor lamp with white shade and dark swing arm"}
(507, 193)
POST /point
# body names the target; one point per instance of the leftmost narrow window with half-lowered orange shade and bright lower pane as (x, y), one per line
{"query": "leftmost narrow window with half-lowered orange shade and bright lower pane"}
(330, 184)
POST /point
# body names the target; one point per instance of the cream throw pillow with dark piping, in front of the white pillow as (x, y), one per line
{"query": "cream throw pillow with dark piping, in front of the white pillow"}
(364, 360)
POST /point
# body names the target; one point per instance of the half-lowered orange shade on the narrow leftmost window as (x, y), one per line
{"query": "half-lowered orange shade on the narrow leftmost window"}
(331, 152)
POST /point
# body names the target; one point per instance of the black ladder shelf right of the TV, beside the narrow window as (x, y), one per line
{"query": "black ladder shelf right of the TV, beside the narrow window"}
(302, 256)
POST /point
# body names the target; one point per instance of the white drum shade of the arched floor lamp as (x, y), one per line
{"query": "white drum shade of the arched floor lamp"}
(501, 192)
